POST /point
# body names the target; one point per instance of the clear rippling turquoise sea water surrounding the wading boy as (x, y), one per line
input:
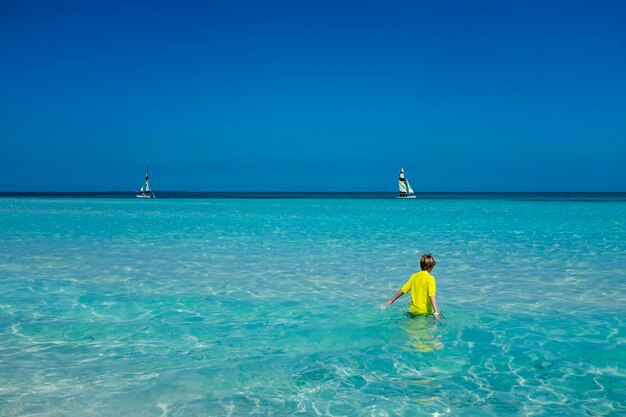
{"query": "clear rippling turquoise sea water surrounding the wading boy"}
(235, 307)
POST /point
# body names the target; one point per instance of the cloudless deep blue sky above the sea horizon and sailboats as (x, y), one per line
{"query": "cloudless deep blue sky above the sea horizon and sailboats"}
(288, 95)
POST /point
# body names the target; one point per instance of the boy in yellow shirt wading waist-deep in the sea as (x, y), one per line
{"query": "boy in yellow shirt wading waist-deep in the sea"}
(423, 289)
